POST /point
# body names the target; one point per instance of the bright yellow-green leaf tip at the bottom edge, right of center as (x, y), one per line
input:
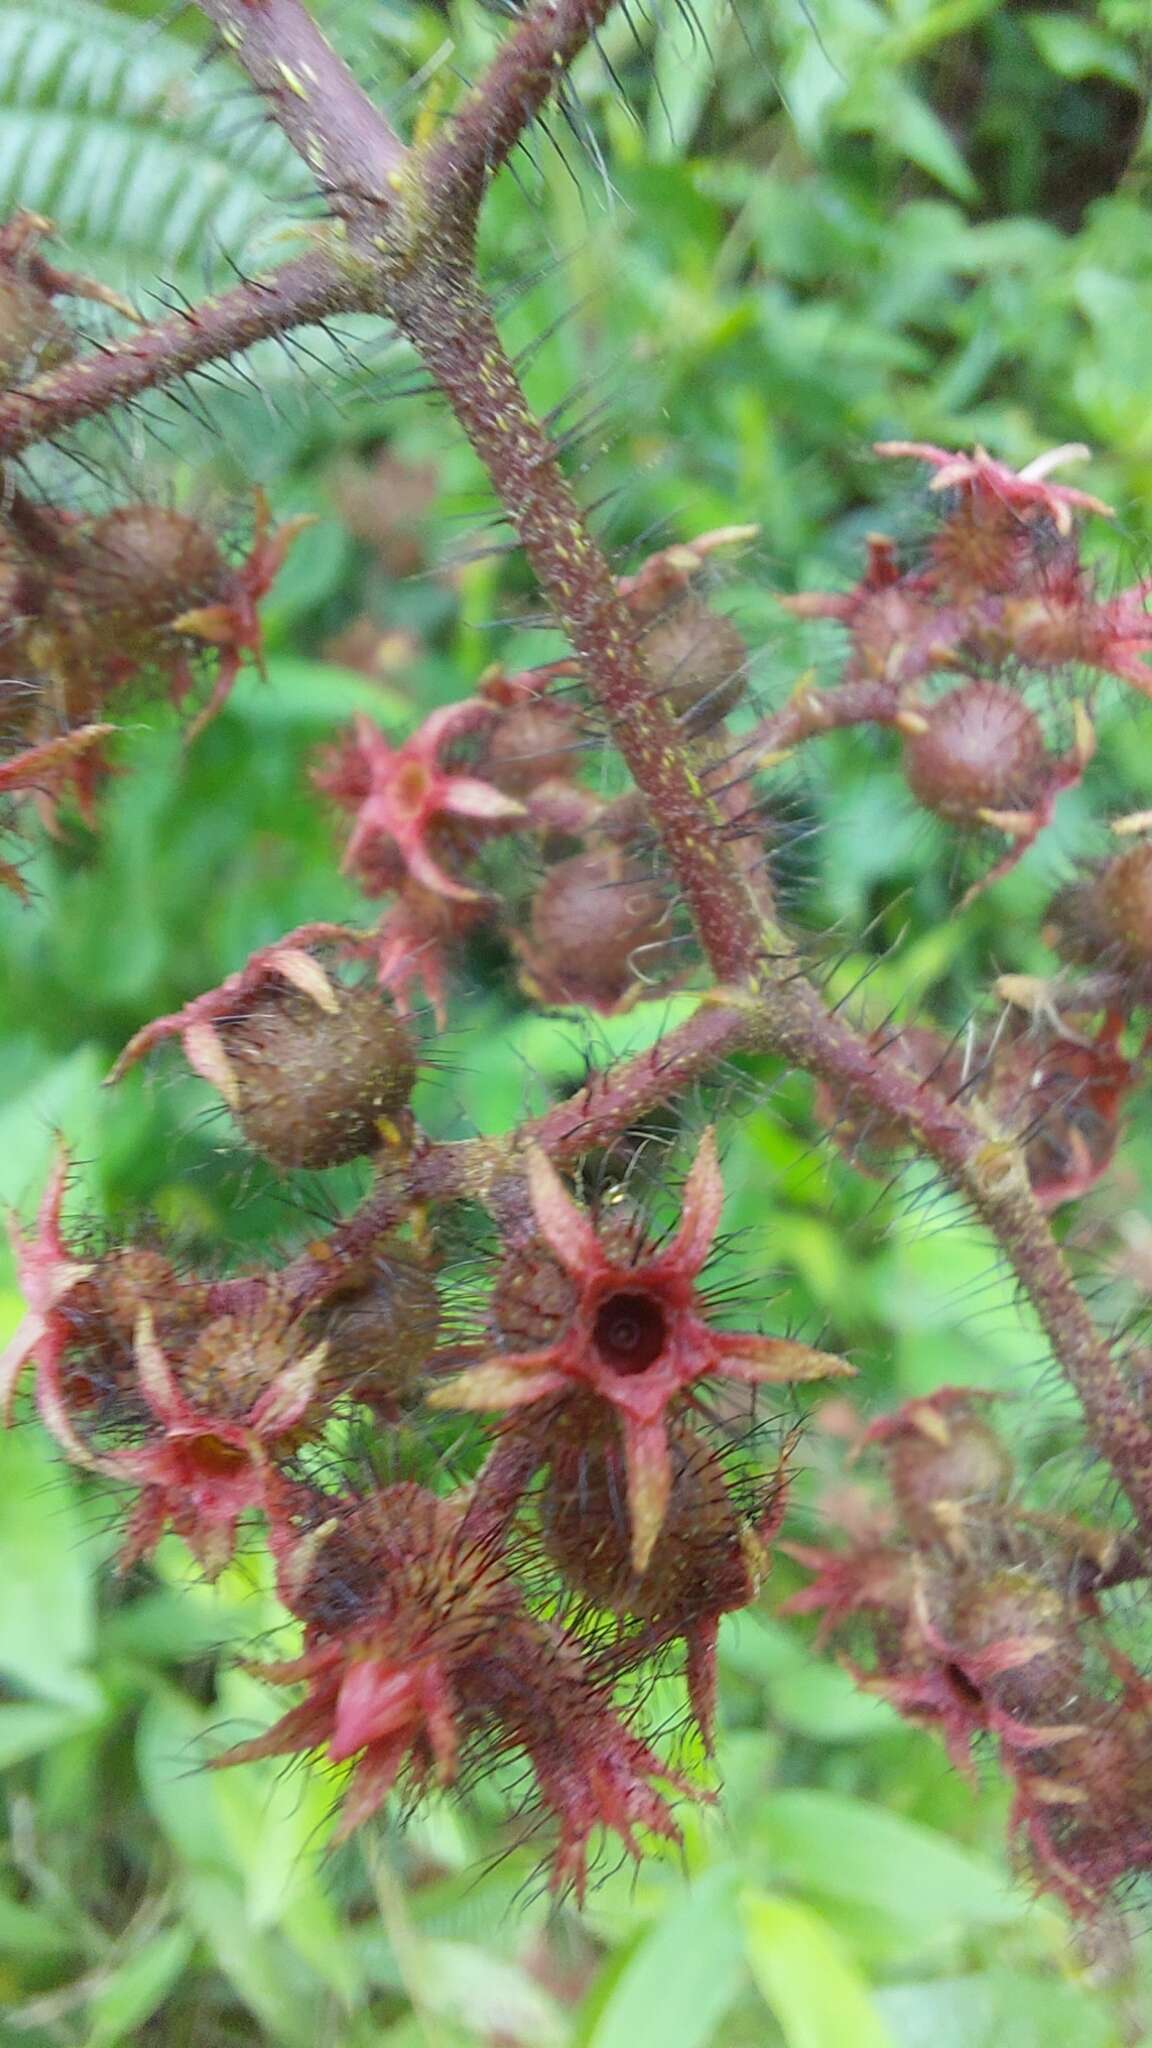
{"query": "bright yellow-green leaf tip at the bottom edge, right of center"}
(807, 1979)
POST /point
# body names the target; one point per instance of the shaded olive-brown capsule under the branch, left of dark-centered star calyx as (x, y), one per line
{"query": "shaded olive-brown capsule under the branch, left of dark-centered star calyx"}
(382, 1328)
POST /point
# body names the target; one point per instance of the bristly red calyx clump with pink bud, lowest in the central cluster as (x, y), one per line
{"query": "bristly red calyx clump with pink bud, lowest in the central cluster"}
(419, 1650)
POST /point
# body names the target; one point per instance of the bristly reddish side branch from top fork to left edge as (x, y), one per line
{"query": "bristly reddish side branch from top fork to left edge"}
(313, 288)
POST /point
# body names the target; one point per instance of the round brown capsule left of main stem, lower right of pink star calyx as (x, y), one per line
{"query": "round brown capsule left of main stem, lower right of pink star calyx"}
(589, 921)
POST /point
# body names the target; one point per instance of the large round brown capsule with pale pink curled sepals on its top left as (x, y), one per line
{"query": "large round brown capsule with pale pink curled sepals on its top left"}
(315, 1086)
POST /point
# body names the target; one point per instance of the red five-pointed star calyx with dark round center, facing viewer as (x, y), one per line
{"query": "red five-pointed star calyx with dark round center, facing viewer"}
(636, 1336)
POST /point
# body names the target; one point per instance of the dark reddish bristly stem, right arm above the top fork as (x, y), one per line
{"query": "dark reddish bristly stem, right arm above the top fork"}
(505, 103)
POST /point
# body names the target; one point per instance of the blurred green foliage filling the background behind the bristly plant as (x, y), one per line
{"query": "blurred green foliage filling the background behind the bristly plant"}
(759, 241)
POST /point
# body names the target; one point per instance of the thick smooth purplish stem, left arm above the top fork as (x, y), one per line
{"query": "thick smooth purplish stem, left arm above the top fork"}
(347, 144)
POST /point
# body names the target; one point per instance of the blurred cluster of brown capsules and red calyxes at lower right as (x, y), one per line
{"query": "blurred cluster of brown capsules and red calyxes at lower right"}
(981, 1621)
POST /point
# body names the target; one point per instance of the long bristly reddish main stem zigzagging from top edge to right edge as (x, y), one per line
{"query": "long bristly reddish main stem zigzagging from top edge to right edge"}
(431, 292)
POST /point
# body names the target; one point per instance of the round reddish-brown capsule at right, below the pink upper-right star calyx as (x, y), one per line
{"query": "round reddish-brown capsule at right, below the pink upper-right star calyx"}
(983, 751)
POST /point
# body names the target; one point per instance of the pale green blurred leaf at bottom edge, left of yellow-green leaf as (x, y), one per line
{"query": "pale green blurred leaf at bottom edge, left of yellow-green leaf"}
(680, 1979)
